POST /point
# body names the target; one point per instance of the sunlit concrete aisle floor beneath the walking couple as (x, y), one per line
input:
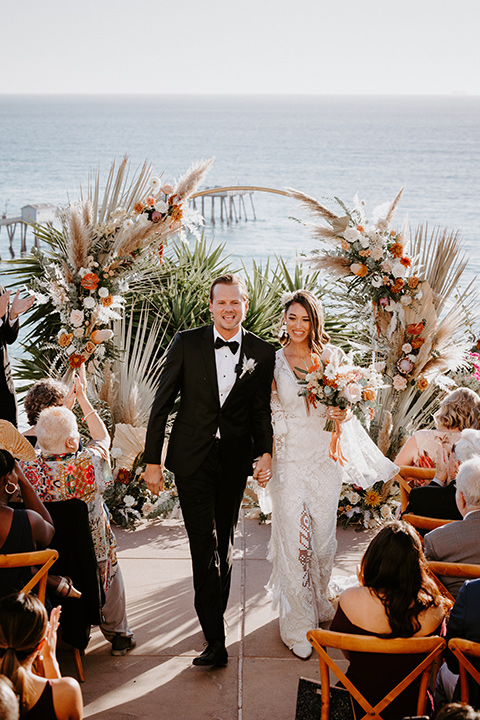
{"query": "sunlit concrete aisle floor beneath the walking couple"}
(157, 679)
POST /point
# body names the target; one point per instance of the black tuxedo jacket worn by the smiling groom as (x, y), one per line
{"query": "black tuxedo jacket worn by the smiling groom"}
(244, 419)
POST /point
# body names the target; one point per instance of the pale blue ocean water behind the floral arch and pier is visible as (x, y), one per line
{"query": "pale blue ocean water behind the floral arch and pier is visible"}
(325, 146)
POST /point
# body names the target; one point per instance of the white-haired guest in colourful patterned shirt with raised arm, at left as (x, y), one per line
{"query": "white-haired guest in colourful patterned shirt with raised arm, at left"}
(62, 471)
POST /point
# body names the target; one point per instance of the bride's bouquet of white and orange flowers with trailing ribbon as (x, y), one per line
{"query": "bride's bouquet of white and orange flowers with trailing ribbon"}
(334, 380)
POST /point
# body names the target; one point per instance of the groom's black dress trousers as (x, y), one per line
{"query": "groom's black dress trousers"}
(210, 499)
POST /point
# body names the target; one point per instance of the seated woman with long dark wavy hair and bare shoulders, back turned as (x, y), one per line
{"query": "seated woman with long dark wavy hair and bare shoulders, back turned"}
(396, 599)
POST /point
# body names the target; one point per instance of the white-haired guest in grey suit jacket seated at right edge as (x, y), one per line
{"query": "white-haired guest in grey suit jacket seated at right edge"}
(459, 541)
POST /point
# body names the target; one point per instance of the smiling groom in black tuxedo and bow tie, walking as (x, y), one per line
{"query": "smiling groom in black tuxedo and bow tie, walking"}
(221, 432)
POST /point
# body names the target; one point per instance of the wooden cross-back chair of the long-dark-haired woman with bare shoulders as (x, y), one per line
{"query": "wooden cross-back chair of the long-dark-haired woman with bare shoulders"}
(430, 647)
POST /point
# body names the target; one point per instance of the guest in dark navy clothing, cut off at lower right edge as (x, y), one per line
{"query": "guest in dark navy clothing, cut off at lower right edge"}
(464, 622)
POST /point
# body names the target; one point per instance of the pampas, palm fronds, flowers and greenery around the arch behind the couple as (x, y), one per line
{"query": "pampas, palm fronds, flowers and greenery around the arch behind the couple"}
(107, 276)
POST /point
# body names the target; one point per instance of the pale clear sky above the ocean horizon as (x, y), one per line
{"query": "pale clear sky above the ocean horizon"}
(414, 47)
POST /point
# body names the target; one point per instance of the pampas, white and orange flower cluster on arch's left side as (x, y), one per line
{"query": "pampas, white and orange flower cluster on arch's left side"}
(98, 250)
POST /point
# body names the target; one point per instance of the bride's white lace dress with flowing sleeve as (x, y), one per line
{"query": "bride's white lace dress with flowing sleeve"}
(304, 493)
